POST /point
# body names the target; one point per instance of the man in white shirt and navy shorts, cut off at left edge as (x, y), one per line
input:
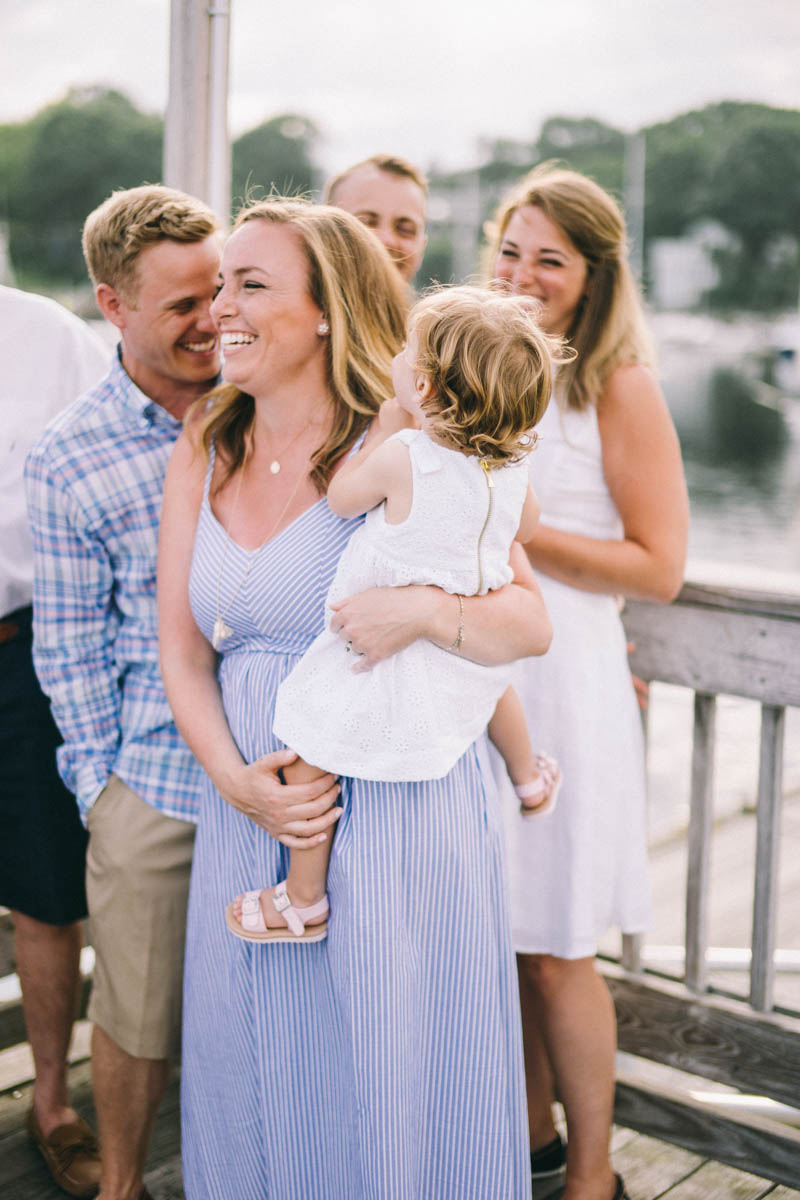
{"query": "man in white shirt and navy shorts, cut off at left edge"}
(50, 359)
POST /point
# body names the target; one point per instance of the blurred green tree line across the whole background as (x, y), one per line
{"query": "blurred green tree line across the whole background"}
(735, 164)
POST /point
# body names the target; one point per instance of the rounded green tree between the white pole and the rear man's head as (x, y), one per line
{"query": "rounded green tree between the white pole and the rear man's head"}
(276, 157)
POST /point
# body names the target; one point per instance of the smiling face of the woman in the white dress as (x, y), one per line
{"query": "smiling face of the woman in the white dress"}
(538, 260)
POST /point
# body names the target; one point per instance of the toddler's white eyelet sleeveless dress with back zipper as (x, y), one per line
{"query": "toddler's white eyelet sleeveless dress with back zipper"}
(414, 716)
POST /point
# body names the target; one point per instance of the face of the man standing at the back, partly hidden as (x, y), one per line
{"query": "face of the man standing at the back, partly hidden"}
(393, 207)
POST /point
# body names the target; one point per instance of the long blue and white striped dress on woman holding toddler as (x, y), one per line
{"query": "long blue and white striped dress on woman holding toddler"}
(384, 1063)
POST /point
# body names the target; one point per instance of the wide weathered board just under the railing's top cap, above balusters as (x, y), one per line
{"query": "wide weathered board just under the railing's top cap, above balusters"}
(715, 651)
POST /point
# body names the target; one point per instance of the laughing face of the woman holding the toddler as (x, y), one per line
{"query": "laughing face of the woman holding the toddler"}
(268, 322)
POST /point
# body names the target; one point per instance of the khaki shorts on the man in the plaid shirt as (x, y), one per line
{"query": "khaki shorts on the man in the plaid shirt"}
(139, 868)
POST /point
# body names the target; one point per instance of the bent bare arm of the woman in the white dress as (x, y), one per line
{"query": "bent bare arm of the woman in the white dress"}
(643, 470)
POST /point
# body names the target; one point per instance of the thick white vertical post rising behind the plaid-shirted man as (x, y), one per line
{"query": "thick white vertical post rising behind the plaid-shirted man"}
(197, 149)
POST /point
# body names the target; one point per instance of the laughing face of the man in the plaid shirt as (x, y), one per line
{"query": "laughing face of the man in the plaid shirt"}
(170, 344)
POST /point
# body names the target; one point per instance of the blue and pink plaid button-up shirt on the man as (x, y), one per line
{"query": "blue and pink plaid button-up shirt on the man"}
(94, 484)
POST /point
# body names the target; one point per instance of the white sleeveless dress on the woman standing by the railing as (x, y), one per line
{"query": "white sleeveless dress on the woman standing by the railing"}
(582, 869)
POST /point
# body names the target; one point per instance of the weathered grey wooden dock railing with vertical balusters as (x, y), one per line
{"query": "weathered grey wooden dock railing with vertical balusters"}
(735, 641)
